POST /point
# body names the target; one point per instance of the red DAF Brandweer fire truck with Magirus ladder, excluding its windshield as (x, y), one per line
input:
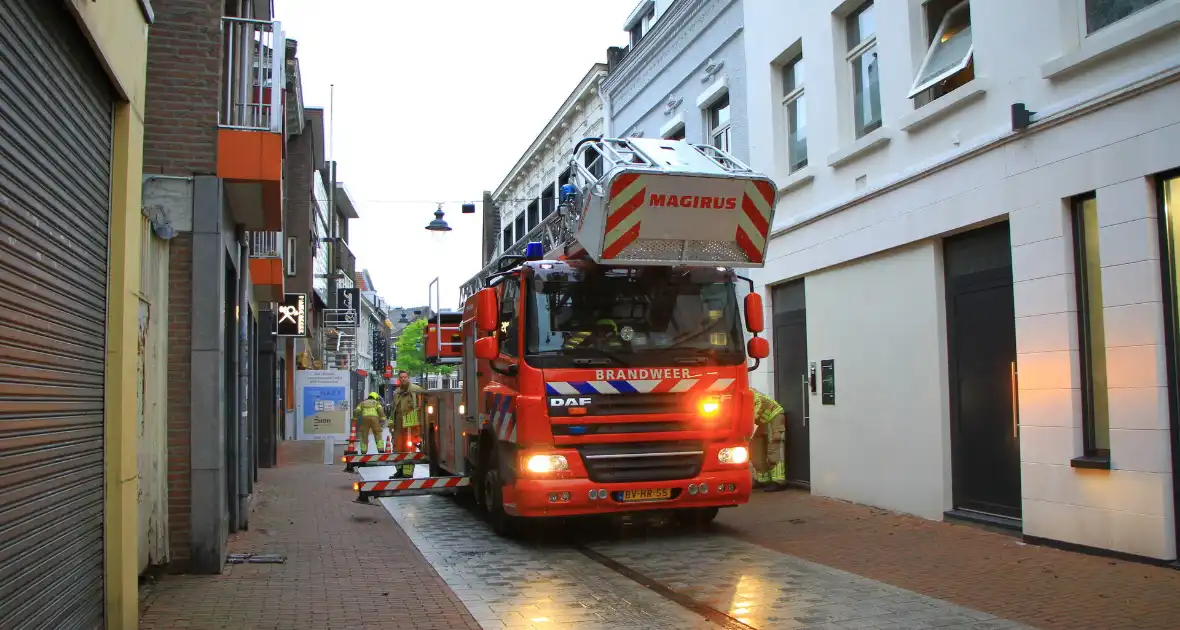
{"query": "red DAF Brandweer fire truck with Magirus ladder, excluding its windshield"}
(631, 204)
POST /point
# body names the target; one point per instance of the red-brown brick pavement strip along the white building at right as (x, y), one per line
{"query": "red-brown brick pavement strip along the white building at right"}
(963, 565)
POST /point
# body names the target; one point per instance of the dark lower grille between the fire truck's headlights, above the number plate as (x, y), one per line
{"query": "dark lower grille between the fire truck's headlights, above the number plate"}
(643, 462)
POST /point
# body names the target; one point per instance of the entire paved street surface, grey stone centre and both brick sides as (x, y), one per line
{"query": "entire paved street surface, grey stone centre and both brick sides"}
(785, 561)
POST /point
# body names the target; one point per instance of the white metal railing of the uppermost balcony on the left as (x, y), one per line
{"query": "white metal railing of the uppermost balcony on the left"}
(254, 81)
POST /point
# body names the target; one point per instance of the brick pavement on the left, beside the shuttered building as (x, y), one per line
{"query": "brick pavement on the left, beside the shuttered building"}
(349, 567)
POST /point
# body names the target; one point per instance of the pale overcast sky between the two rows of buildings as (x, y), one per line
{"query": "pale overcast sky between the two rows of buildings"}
(436, 101)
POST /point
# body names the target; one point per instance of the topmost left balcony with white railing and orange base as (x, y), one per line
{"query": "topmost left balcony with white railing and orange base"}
(251, 122)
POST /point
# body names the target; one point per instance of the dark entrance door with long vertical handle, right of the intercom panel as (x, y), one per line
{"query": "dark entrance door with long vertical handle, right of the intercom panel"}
(982, 350)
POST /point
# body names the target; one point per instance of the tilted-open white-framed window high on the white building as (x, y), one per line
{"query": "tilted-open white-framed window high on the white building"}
(949, 58)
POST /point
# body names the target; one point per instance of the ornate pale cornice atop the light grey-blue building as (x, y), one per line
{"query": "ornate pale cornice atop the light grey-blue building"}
(683, 24)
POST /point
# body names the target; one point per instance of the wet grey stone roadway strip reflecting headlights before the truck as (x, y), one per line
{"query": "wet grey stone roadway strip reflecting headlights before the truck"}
(664, 580)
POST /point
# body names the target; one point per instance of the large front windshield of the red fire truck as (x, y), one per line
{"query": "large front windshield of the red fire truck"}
(633, 317)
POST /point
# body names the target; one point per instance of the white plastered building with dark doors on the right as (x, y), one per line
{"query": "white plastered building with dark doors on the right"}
(974, 314)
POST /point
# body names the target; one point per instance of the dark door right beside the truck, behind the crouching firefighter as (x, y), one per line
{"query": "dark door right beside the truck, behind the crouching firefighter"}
(791, 376)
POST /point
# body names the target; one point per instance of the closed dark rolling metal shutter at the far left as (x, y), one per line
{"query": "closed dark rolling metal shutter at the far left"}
(56, 136)
